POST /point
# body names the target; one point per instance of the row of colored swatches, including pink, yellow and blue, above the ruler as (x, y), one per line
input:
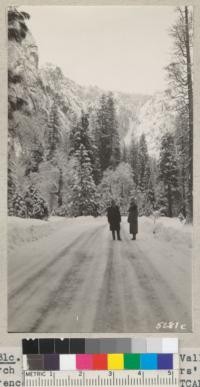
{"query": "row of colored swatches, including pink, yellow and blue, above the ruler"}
(110, 361)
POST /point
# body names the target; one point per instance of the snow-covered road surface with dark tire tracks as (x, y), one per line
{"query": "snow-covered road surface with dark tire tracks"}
(78, 280)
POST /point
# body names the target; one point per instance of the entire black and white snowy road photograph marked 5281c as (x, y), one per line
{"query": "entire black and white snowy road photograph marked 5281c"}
(100, 168)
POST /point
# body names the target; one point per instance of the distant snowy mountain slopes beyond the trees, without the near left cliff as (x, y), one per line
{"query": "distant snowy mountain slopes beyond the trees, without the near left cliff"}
(136, 113)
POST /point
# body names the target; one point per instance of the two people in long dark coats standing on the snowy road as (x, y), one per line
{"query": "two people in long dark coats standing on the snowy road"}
(114, 219)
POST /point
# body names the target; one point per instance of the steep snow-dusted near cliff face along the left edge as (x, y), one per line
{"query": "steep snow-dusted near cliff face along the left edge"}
(27, 102)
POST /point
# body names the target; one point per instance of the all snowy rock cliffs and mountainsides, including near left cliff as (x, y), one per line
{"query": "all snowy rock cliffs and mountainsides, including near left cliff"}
(35, 90)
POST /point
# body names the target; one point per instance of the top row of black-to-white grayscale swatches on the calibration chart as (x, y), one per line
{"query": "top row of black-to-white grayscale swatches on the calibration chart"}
(100, 345)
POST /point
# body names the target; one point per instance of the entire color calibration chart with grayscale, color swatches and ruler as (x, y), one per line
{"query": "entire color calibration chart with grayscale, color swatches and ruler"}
(100, 361)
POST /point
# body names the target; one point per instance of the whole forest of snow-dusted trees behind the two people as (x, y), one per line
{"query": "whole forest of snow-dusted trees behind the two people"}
(79, 173)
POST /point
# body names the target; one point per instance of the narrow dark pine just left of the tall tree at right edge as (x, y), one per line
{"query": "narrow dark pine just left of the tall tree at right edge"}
(168, 172)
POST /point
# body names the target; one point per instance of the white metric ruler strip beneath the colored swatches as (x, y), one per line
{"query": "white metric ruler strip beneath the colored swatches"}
(100, 378)
